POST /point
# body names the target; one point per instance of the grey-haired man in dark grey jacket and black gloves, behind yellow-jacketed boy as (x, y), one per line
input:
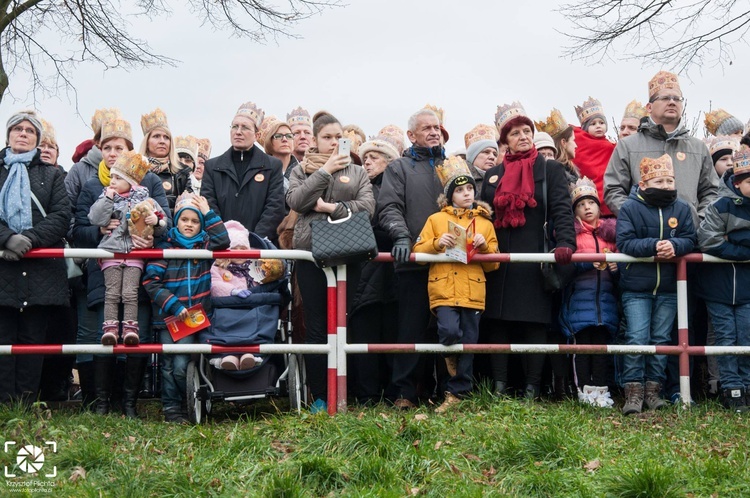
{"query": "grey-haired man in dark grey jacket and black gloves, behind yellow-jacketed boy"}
(408, 196)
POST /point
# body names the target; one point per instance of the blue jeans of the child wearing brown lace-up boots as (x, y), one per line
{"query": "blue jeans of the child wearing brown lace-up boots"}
(649, 322)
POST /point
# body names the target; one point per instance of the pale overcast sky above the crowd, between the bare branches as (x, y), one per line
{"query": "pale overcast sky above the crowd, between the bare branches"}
(370, 63)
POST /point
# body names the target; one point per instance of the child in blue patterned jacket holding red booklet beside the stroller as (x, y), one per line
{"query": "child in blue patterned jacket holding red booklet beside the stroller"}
(174, 285)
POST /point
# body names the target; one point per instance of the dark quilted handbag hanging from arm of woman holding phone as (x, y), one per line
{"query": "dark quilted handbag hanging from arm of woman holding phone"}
(344, 241)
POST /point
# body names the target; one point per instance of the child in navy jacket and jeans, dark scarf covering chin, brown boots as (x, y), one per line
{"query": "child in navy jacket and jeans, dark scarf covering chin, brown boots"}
(651, 223)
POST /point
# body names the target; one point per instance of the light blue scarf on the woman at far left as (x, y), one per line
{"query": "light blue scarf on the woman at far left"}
(15, 195)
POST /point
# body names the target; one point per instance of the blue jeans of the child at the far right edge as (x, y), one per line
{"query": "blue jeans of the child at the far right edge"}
(732, 328)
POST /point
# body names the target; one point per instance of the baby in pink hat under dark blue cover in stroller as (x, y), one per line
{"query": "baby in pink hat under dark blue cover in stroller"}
(247, 296)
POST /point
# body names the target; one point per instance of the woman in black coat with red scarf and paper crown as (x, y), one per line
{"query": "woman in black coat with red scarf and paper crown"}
(518, 308)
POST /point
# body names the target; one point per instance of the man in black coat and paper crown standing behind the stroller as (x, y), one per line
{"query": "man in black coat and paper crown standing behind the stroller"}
(244, 183)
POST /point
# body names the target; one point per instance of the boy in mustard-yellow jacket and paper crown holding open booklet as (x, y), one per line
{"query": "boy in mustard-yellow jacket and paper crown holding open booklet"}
(457, 290)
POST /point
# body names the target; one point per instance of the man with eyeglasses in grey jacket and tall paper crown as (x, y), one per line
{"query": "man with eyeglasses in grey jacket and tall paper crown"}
(663, 132)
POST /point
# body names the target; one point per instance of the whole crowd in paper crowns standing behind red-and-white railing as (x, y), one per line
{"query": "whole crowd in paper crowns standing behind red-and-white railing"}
(519, 186)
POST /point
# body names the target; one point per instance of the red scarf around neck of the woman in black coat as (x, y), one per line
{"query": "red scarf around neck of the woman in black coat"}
(516, 189)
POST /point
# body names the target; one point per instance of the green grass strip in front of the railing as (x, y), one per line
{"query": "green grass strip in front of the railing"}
(487, 447)
